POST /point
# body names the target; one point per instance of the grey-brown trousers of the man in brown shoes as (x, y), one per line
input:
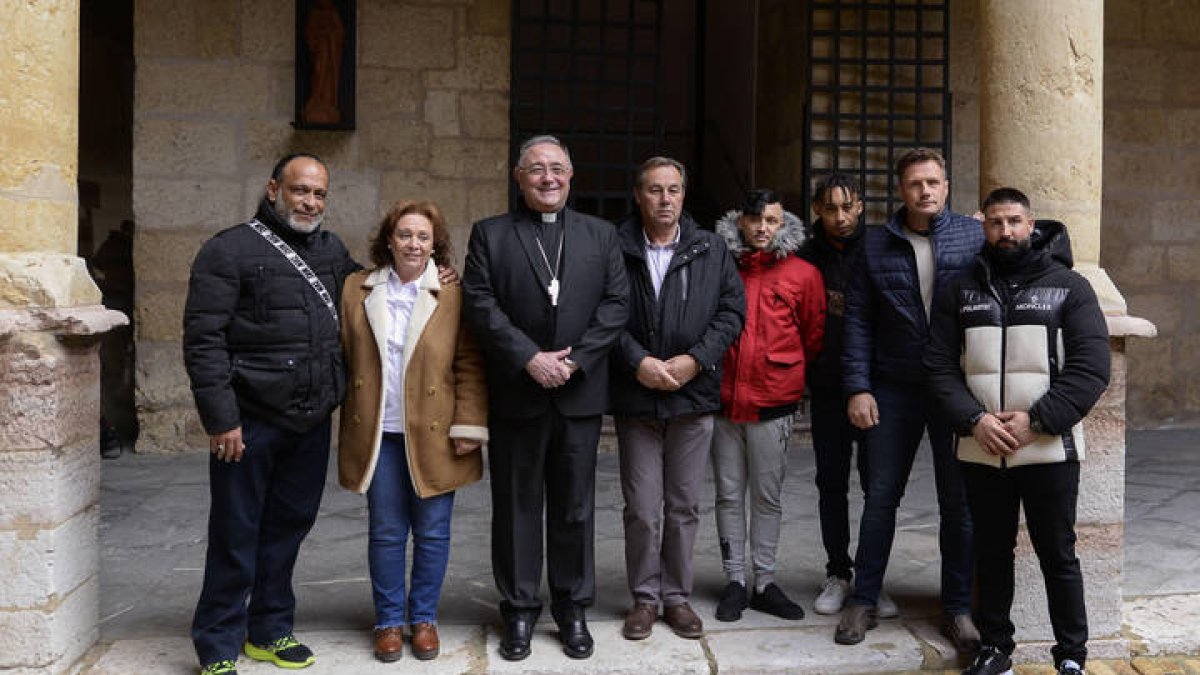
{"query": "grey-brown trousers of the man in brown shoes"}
(662, 471)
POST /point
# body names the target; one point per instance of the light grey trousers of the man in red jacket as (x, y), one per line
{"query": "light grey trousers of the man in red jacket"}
(749, 457)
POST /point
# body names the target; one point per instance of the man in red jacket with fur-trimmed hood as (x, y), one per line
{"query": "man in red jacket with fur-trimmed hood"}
(763, 384)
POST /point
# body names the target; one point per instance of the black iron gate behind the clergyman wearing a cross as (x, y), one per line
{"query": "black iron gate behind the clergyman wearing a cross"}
(587, 71)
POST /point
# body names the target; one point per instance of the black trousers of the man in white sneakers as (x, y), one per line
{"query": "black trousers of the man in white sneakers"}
(833, 443)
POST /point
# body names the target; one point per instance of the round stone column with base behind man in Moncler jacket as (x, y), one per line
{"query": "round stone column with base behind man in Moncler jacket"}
(1041, 118)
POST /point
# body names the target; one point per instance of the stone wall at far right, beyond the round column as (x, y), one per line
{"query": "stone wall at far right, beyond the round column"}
(1150, 238)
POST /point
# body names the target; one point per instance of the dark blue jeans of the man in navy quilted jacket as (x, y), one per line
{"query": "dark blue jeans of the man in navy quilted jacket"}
(905, 414)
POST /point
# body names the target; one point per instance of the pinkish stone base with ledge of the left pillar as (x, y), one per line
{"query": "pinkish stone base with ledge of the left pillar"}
(50, 485)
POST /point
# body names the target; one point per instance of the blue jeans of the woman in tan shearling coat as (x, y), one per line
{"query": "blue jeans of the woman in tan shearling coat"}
(395, 510)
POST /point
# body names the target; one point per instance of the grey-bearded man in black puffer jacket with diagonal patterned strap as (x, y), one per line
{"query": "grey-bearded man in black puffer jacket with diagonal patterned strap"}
(261, 347)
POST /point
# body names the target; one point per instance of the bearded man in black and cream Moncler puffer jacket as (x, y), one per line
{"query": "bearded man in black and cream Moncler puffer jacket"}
(1017, 359)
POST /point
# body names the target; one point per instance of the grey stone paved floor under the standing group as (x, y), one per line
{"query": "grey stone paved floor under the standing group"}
(153, 549)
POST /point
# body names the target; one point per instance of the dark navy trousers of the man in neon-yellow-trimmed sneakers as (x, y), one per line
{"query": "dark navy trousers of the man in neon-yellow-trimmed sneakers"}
(262, 510)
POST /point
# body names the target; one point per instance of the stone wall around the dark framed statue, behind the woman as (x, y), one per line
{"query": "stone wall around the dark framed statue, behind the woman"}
(213, 112)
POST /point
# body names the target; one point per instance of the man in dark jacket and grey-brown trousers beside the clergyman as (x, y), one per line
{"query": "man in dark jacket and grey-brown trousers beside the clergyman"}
(686, 309)
